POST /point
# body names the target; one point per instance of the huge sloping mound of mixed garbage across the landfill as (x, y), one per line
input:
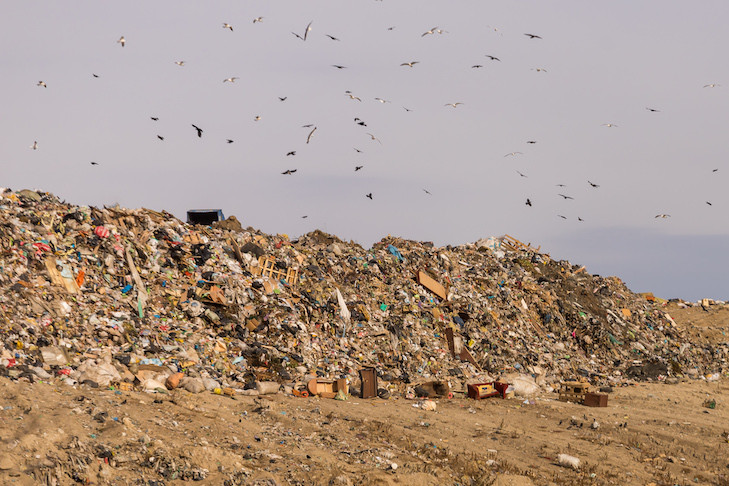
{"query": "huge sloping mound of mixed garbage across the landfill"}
(129, 297)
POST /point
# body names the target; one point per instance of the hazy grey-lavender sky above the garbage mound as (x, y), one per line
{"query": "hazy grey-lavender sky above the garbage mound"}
(629, 96)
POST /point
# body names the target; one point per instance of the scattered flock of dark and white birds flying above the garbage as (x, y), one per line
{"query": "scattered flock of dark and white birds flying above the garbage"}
(410, 64)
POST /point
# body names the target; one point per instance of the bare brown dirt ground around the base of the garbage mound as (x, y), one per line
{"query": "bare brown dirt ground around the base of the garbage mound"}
(650, 433)
